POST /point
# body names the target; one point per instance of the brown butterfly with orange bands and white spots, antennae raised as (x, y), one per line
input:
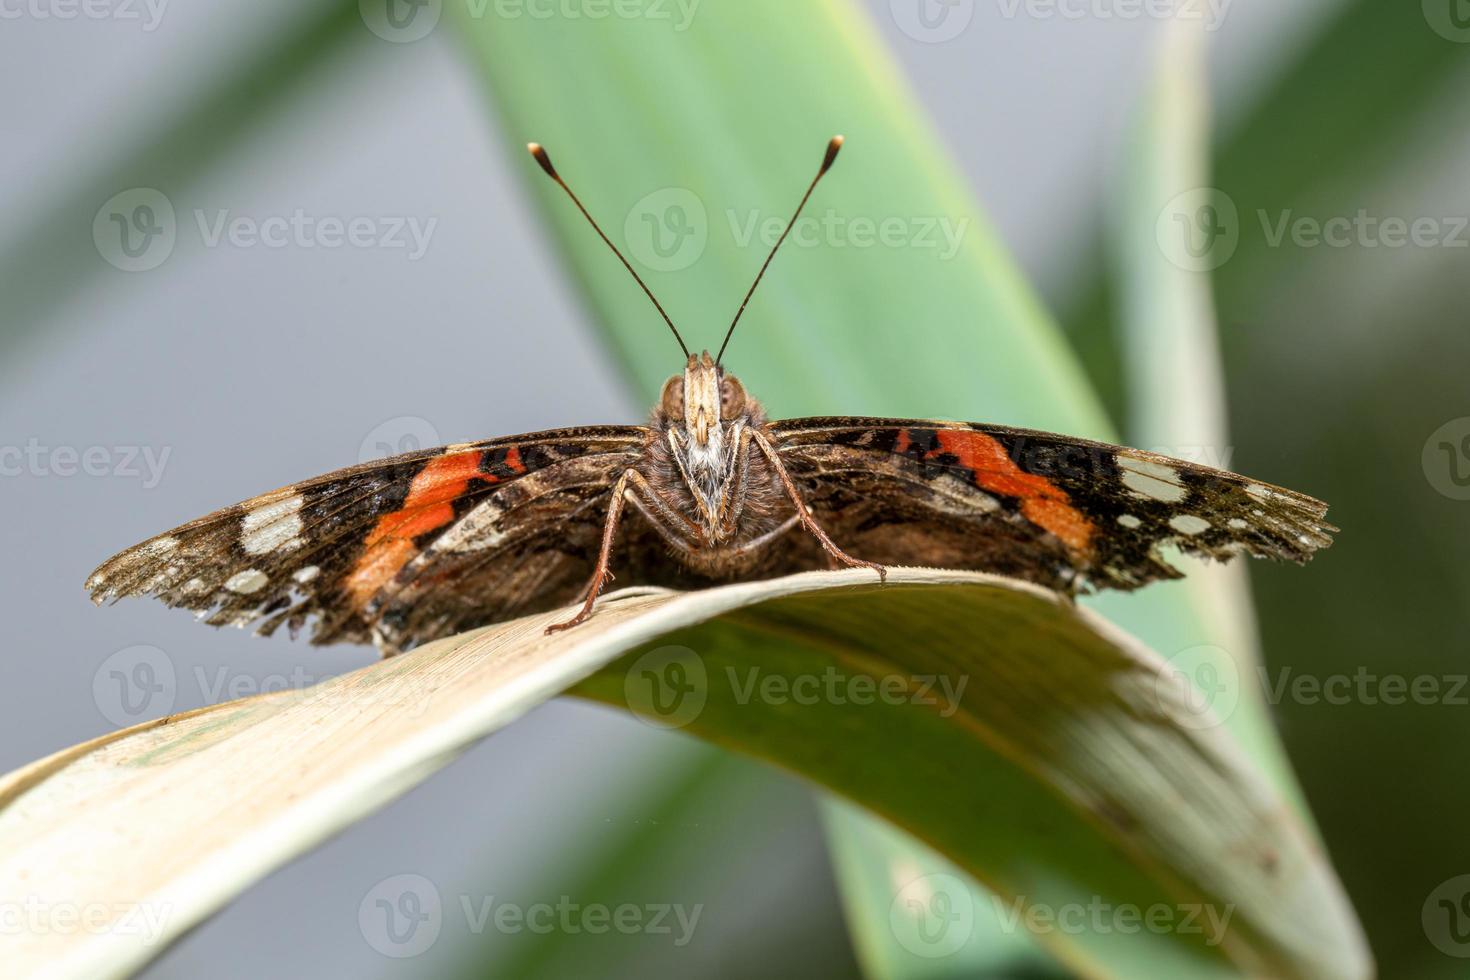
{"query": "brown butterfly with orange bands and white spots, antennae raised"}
(429, 544)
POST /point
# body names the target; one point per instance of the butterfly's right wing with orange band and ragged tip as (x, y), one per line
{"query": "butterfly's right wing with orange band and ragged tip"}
(1061, 512)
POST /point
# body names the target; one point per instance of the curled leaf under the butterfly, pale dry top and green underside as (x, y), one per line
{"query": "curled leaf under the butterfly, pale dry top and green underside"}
(1027, 740)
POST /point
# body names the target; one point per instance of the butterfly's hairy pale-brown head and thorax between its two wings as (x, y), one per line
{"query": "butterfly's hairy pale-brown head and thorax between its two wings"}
(705, 459)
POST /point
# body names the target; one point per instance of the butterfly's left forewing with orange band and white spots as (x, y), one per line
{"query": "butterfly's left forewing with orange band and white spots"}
(324, 550)
